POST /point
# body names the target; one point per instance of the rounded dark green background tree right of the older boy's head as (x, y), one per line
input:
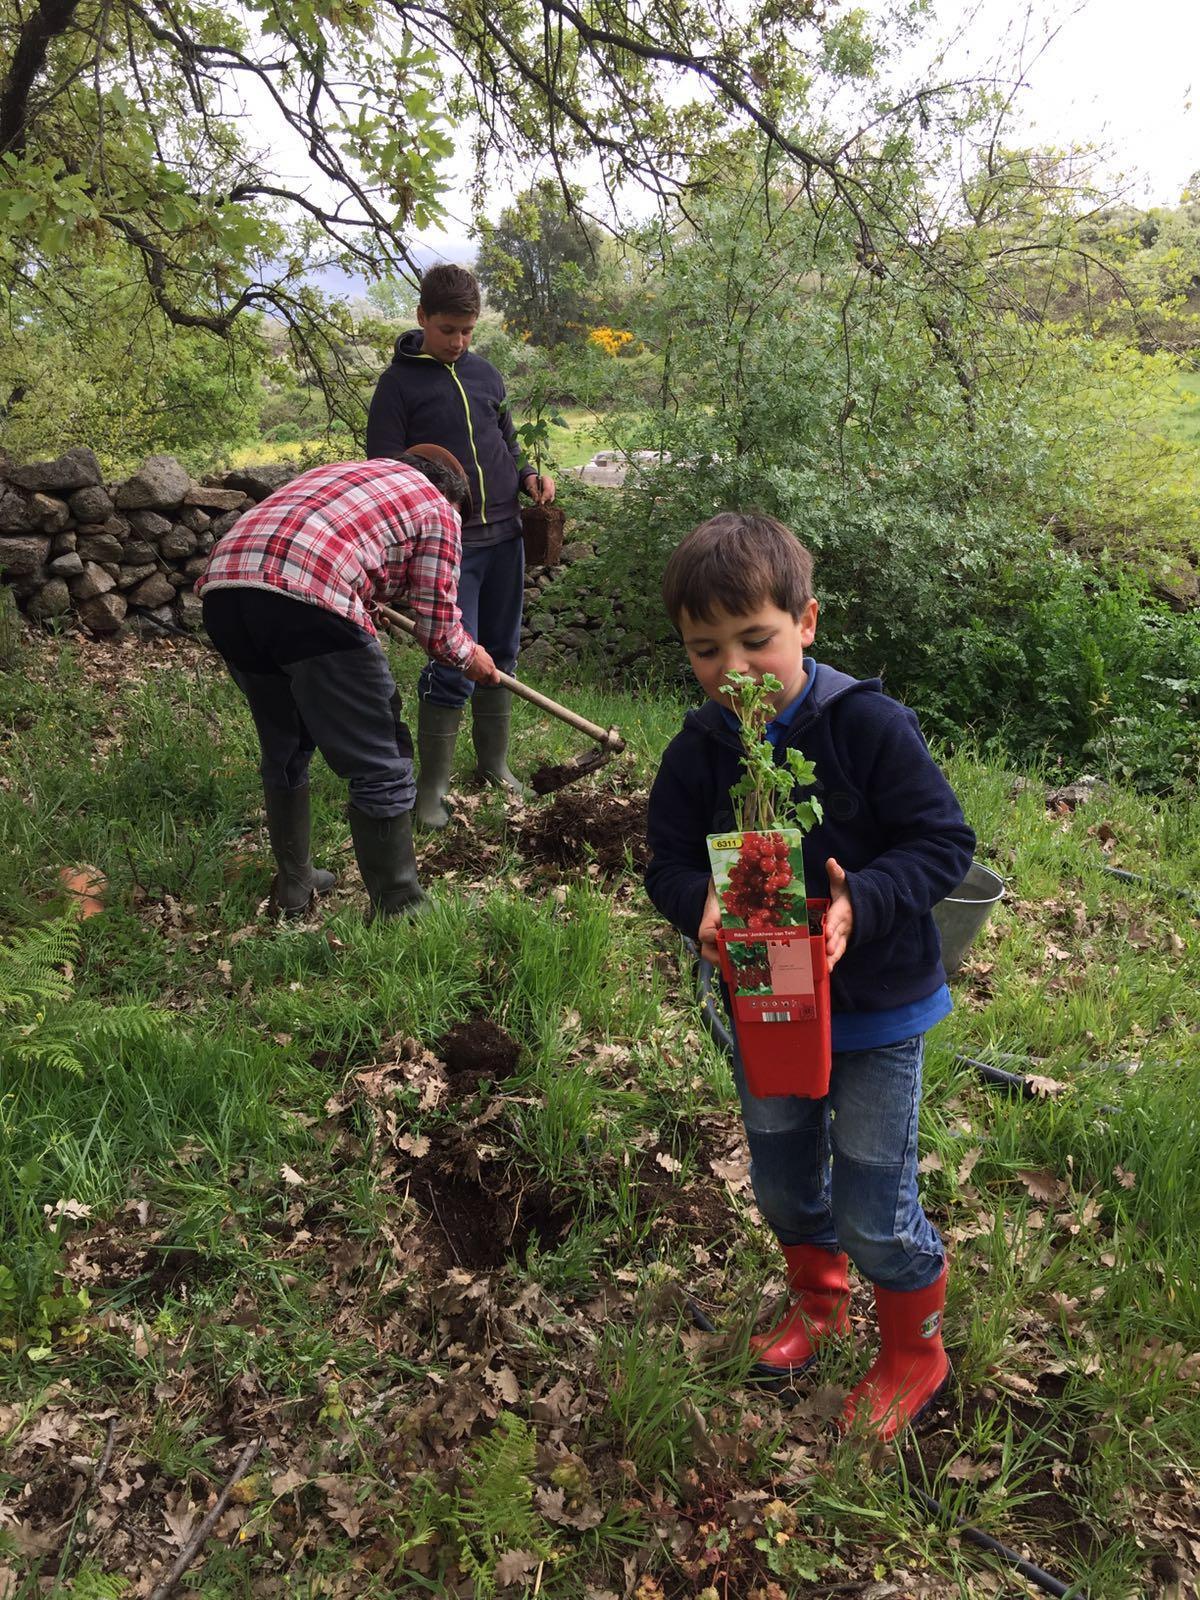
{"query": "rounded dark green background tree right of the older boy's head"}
(537, 265)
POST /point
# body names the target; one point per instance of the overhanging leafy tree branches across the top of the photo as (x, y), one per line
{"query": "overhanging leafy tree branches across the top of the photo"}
(153, 140)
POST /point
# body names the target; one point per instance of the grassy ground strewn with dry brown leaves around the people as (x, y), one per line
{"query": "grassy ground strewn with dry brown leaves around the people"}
(460, 1321)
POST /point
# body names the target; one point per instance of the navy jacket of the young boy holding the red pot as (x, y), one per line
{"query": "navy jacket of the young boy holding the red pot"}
(890, 820)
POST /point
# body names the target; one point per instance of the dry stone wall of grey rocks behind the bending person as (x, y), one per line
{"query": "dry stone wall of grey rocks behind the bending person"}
(119, 556)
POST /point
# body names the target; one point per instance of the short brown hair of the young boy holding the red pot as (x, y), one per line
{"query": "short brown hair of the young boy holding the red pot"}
(737, 562)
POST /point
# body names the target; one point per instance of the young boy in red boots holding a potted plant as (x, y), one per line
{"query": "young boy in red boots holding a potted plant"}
(836, 1178)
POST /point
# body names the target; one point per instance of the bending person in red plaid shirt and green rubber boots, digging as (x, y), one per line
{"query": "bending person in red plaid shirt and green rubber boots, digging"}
(287, 599)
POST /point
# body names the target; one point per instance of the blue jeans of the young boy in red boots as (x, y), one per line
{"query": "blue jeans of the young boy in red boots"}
(868, 1206)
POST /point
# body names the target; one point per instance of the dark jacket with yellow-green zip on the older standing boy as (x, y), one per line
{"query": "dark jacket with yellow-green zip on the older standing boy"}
(420, 401)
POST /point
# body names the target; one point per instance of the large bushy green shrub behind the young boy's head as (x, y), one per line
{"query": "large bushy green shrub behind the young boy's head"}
(935, 442)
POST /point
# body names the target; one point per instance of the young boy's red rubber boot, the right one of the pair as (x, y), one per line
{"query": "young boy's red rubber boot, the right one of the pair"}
(911, 1369)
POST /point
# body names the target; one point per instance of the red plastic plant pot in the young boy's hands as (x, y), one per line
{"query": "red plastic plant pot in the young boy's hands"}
(780, 1001)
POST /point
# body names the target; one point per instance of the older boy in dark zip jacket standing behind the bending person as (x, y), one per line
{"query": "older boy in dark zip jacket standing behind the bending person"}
(439, 390)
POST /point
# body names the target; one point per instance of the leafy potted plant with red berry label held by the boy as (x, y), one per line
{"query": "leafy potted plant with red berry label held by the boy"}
(772, 937)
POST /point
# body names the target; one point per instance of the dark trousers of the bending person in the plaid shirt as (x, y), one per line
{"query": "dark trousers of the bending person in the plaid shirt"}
(314, 681)
